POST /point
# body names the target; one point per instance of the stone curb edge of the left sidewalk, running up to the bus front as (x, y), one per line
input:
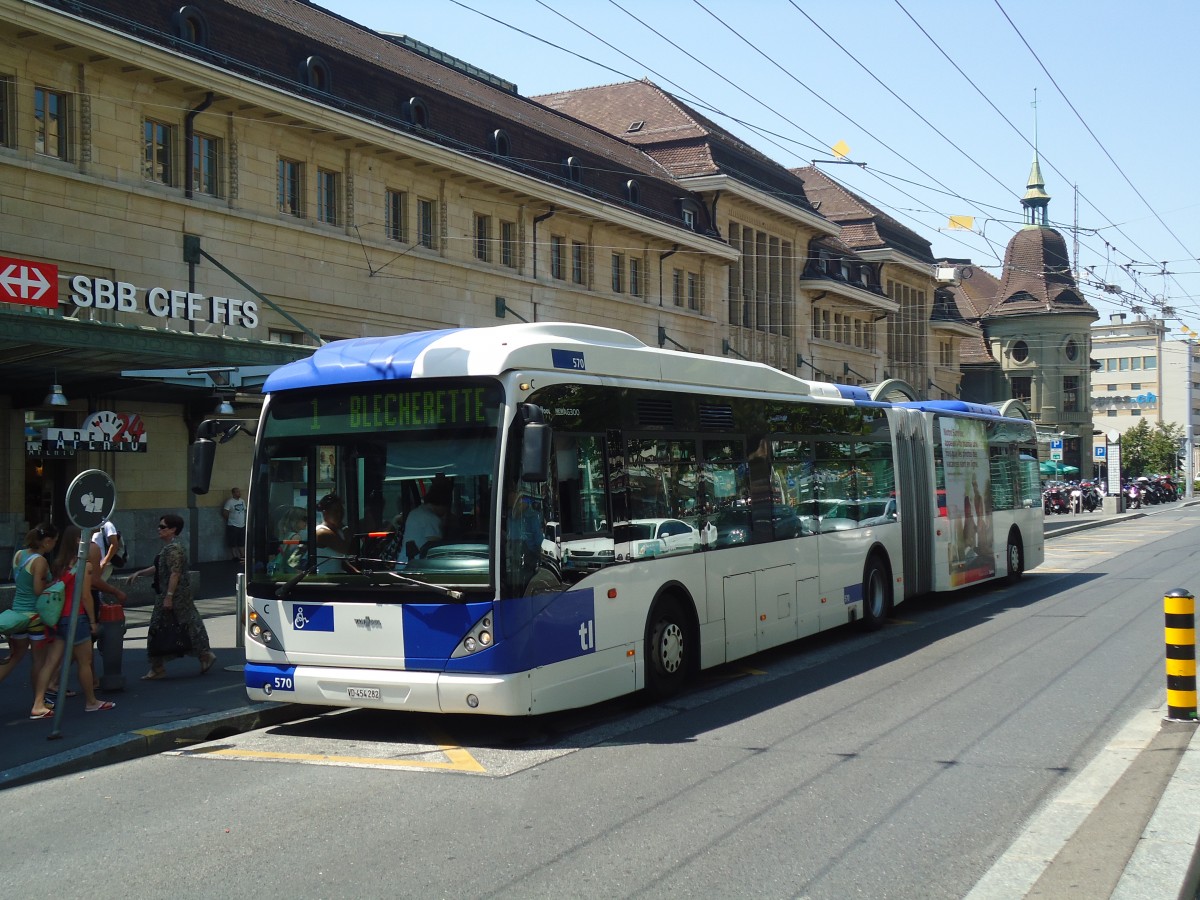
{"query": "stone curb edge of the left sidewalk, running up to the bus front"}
(157, 740)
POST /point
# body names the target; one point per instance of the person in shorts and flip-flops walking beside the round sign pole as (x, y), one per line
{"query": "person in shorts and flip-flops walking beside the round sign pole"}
(63, 569)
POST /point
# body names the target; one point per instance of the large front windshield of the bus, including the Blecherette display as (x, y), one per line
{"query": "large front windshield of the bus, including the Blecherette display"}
(376, 487)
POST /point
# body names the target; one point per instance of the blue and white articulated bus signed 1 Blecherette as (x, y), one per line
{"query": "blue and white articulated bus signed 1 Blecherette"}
(532, 518)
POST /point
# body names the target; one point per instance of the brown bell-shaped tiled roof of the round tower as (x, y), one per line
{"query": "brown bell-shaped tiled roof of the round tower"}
(1037, 277)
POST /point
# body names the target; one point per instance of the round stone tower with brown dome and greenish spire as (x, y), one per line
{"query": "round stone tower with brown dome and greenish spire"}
(1039, 328)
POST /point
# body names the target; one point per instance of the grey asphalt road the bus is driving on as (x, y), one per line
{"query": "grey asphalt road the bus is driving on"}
(905, 764)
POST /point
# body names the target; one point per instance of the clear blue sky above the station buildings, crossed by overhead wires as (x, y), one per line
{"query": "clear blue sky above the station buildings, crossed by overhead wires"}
(1115, 87)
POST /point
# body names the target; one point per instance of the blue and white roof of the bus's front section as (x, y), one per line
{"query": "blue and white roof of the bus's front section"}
(545, 346)
